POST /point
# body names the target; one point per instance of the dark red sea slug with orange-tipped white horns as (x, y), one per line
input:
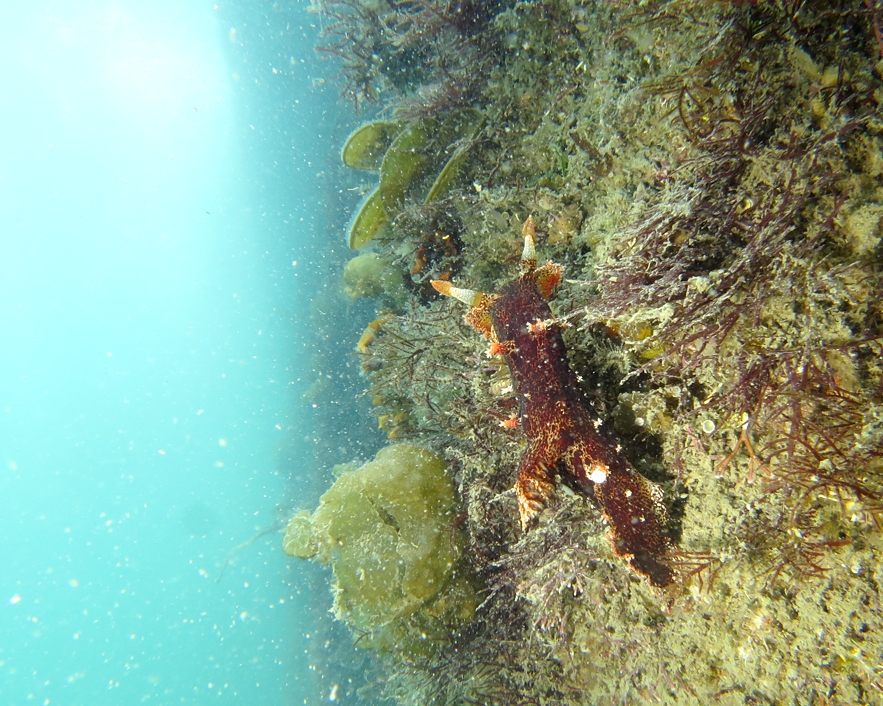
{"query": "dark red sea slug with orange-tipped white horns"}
(563, 435)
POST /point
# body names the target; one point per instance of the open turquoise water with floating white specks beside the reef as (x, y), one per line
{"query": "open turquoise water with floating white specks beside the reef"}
(163, 181)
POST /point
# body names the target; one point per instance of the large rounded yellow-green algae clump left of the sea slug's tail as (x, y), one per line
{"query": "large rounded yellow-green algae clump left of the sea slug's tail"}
(387, 529)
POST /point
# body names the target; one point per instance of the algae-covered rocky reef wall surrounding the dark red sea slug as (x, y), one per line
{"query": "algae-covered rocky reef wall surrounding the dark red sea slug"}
(710, 176)
